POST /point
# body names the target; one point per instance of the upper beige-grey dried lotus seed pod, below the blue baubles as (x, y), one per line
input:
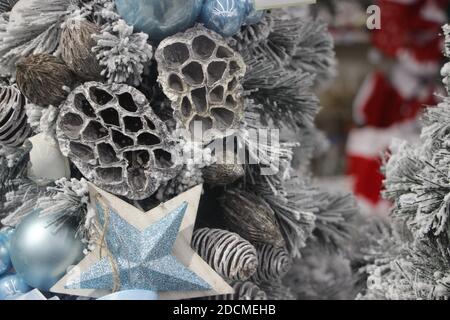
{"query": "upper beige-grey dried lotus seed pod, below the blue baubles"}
(202, 75)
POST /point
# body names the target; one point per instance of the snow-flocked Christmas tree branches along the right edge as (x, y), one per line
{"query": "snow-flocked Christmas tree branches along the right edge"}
(409, 259)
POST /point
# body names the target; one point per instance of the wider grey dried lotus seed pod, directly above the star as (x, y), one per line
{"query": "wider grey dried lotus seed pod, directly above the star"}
(112, 135)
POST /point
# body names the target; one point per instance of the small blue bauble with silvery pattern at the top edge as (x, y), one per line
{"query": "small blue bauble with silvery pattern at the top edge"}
(224, 16)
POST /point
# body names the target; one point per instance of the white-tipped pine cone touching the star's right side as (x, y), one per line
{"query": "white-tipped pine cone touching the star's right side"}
(227, 253)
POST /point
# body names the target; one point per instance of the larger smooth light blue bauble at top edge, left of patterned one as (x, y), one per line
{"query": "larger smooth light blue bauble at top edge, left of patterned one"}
(159, 18)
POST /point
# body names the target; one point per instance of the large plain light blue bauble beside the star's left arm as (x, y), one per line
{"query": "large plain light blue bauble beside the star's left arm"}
(42, 252)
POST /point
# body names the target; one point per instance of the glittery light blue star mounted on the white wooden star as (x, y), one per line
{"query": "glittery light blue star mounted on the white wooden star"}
(143, 259)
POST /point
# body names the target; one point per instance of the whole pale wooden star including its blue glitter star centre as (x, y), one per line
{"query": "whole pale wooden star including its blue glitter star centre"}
(146, 250)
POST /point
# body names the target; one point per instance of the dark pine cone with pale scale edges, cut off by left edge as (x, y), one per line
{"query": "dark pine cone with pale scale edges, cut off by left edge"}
(14, 128)
